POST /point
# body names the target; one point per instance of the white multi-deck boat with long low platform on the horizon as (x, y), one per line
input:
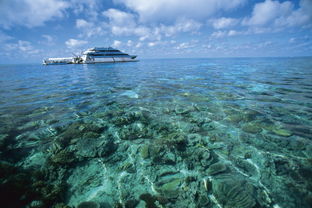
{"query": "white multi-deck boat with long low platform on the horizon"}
(93, 56)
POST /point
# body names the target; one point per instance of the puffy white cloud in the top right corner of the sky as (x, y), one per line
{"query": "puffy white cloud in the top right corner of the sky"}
(280, 14)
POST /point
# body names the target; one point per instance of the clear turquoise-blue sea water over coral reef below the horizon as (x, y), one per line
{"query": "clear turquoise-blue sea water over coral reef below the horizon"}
(157, 133)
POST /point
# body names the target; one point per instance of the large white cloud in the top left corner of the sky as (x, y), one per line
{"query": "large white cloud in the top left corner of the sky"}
(30, 13)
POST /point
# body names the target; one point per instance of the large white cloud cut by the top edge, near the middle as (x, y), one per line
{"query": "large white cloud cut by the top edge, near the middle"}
(170, 10)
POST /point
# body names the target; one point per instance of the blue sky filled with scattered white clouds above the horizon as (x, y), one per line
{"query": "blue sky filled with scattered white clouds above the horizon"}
(31, 30)
